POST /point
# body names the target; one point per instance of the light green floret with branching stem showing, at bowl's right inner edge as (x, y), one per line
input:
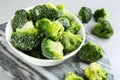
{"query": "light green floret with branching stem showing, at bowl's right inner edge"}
(71, 41)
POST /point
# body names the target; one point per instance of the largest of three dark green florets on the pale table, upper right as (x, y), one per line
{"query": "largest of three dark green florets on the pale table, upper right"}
(103, 29)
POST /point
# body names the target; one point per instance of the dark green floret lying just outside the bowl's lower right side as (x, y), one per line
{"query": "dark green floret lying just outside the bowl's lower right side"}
(90, 52)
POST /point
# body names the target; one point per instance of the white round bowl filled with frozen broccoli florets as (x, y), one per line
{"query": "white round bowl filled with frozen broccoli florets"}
(42, 62)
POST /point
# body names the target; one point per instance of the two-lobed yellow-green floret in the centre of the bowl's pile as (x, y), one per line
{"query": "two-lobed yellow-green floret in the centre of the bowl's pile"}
(52, 30)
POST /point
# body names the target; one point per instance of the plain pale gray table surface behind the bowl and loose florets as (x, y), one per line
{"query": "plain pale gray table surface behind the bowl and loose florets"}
(111, 46)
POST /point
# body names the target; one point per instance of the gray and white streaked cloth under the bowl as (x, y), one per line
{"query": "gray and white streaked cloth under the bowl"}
(13, 67)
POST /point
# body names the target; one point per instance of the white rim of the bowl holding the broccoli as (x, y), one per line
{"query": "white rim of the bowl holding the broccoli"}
(44, 60)
